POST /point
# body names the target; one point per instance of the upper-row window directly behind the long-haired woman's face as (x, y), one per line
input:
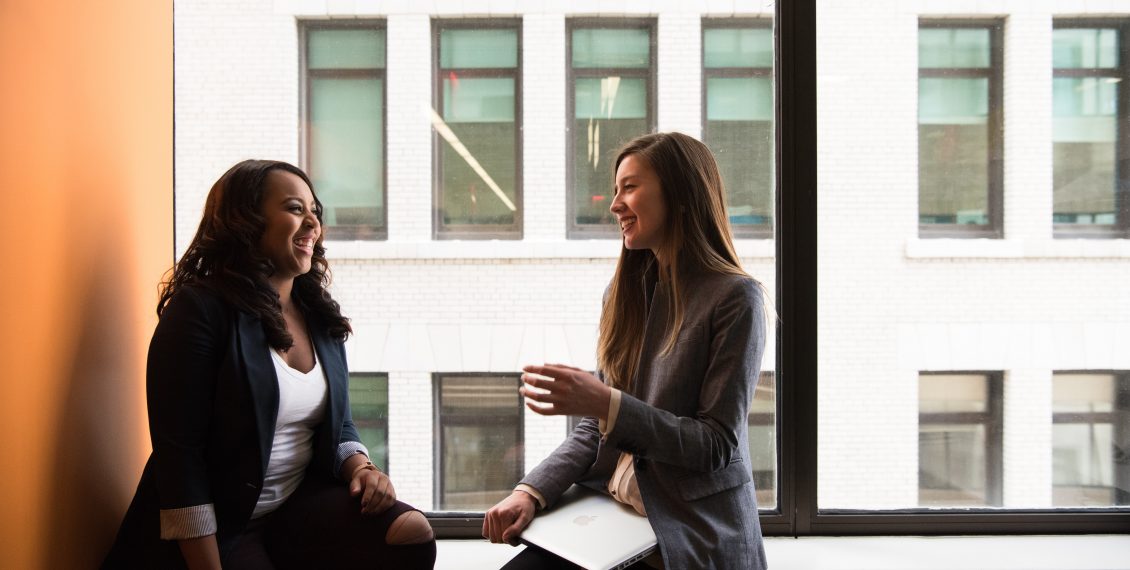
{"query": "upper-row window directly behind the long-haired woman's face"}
(612, 94)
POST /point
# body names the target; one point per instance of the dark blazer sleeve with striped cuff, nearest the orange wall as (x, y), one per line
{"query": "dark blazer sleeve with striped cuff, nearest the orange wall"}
(184, 364)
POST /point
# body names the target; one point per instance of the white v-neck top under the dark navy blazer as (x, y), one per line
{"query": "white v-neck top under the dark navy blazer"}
(302, 407)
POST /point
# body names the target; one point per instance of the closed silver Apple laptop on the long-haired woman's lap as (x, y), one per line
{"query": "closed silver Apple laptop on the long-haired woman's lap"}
(593, 531)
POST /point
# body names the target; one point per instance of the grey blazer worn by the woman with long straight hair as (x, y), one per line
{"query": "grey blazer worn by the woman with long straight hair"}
(685, 422)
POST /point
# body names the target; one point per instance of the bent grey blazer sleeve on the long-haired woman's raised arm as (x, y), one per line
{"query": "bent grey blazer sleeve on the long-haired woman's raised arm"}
(709, 441)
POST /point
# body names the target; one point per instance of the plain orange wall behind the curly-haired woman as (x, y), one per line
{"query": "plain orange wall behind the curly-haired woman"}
(86, 203)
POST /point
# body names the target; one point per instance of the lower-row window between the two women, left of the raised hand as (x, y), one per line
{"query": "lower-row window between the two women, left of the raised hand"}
(480, 452)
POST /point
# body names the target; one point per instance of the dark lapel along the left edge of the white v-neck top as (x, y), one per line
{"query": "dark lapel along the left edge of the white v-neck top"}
(262, 381)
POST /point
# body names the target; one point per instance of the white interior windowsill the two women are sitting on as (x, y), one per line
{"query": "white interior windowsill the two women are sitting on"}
(1084, 552)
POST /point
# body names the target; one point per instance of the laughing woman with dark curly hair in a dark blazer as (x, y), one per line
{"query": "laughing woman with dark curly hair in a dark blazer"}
(256, 460)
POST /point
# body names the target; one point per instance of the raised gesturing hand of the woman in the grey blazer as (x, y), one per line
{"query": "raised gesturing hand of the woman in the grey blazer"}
(571, 392)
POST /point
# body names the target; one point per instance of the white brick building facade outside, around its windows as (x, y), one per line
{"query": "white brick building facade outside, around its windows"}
(891, 304)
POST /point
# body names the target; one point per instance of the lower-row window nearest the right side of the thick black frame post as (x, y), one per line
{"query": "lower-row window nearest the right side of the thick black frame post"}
(960, 441)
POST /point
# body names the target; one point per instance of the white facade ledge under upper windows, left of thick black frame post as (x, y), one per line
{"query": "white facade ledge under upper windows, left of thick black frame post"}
(502, 249)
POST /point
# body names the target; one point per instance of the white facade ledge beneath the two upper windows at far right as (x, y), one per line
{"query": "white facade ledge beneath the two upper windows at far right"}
(1018, 249)
